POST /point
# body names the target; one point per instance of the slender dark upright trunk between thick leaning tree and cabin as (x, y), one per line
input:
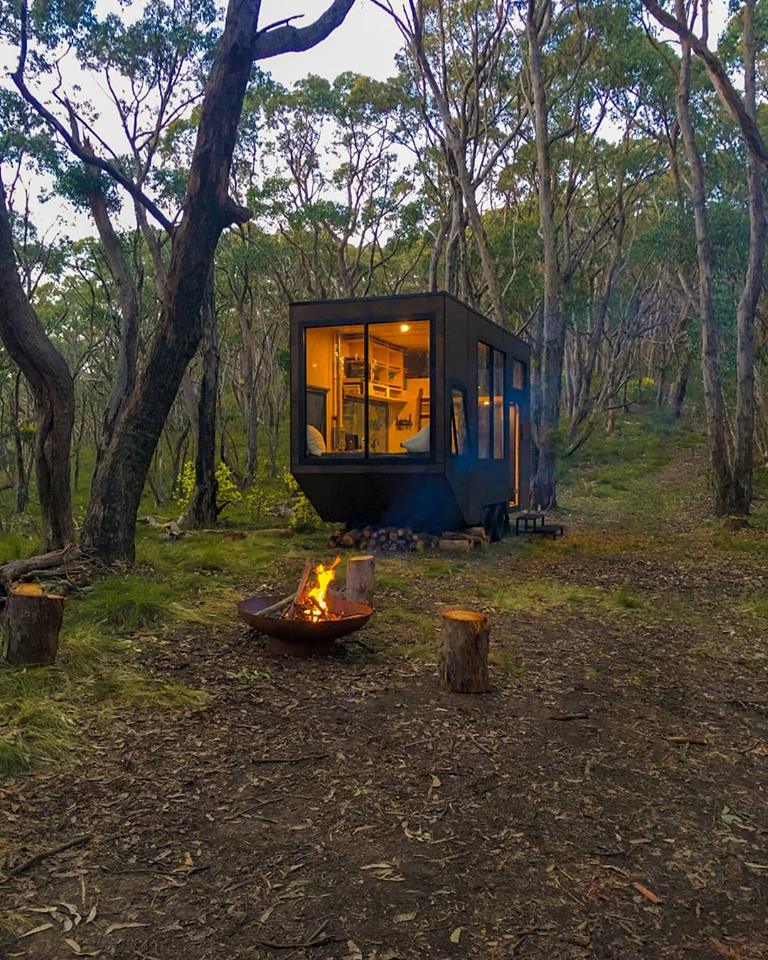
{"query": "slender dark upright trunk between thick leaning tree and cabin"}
(203, 510)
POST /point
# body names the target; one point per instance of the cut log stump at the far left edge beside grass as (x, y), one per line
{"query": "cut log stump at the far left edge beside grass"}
(32, 624)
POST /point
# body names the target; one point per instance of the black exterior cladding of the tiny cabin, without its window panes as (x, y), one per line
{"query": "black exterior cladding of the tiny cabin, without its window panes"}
(437, 490)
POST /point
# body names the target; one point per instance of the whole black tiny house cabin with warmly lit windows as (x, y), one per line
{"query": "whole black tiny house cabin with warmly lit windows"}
(409, 411)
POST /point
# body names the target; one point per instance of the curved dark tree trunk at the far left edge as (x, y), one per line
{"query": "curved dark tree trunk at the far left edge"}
(53, 389)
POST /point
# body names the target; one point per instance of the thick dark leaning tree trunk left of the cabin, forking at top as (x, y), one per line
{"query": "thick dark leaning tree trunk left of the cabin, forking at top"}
(117, 488)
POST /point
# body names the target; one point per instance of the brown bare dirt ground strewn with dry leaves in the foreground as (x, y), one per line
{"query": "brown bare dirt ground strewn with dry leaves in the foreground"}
(606, 800)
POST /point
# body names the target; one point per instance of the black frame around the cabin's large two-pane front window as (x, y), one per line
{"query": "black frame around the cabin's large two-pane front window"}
(365, 458)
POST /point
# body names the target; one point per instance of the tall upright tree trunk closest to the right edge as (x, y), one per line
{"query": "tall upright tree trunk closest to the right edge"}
(740, 493)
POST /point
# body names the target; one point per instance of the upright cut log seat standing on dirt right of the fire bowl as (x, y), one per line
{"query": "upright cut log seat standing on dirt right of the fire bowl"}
(463, 654)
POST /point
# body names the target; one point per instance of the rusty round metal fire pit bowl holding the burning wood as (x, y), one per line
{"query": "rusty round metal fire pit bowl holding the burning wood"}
(300, 638)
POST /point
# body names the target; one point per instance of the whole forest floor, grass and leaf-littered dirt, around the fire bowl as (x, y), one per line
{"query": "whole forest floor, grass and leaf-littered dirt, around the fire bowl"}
(606, 799)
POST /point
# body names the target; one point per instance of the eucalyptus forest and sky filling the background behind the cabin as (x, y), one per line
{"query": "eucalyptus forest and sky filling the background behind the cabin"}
(590, 175)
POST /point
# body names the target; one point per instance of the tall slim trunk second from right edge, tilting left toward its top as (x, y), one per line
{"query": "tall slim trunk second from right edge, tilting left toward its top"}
(717, 426)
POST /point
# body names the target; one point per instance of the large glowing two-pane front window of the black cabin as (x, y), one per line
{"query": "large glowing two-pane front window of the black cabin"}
(385, 364)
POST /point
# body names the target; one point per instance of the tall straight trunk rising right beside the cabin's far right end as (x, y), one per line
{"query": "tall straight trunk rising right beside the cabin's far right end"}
(544, 484)
